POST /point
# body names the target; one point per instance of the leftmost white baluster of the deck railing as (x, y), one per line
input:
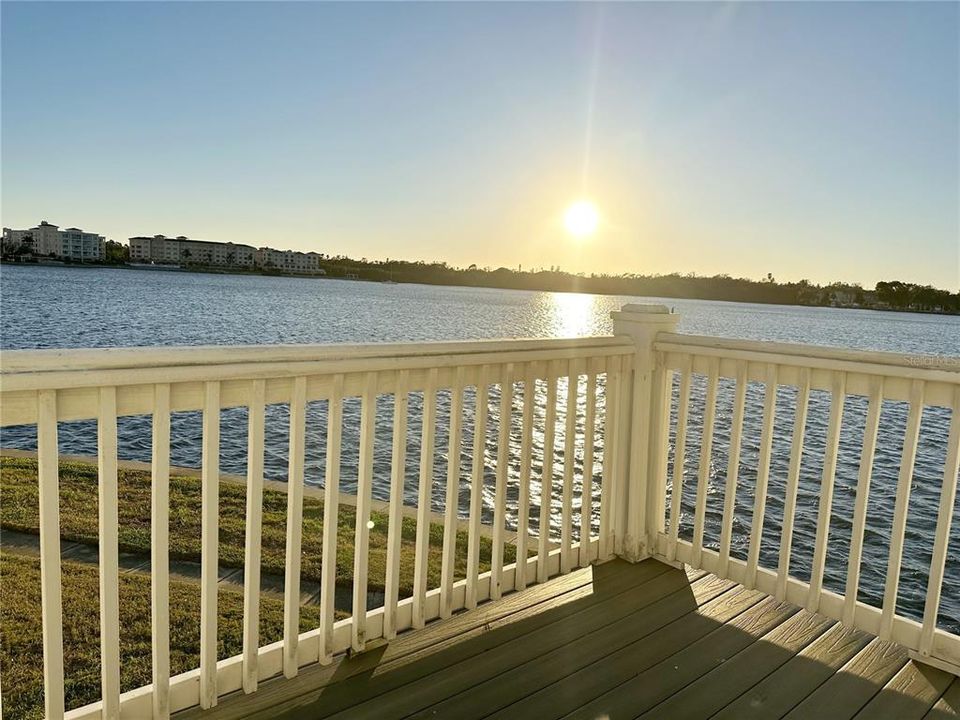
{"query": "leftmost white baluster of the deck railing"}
(49, 500)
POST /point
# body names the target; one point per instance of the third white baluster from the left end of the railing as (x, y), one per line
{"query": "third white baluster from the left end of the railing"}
(160, 551)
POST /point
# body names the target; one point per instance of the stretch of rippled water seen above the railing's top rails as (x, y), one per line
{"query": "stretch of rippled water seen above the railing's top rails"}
(45, 307)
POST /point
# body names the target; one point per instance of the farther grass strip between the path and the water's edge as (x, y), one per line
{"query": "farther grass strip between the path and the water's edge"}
(78, 522)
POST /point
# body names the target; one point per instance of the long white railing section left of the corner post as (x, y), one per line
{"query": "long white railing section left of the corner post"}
(527, 378)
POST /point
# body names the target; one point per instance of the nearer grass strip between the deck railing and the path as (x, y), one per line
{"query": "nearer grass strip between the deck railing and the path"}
(21, 651)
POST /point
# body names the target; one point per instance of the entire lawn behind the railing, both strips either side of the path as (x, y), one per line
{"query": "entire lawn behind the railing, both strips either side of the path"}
(21, 655)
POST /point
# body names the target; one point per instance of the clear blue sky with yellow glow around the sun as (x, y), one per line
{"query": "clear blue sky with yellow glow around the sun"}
(815, 140)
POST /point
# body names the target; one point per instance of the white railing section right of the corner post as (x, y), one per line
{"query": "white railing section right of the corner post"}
(856, 385)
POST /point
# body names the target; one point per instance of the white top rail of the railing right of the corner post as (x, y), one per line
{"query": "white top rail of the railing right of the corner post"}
(942, 368)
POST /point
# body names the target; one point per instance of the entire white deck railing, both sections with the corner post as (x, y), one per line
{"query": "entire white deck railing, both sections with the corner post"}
(626, 404)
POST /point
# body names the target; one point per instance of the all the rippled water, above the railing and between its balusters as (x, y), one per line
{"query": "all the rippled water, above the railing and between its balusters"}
(64, 307)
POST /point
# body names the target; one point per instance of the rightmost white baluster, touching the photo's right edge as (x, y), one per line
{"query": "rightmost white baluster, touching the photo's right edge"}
(948, 495)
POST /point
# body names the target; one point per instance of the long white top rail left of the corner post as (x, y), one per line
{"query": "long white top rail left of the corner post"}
(85, 359)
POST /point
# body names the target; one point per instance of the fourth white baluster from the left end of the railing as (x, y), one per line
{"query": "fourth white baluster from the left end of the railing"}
(209, 532)
